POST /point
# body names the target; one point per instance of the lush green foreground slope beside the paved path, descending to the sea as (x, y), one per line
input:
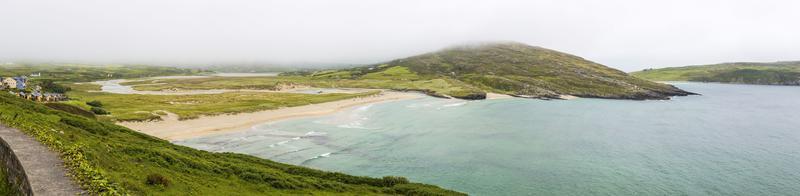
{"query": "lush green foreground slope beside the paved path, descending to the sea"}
(110, 159)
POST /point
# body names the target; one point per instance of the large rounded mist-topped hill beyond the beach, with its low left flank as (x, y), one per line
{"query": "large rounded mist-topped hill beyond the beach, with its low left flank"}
(509, 68)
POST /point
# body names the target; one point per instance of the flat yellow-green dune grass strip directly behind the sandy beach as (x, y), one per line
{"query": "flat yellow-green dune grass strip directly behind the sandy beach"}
(124, 107)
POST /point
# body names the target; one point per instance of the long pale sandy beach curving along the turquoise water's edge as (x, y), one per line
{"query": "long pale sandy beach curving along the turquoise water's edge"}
(170, 128)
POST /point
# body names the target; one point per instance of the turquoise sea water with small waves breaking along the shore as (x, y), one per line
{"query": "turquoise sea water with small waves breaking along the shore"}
(733, 140)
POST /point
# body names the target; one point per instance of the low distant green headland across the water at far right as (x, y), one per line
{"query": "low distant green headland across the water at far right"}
(777, 73)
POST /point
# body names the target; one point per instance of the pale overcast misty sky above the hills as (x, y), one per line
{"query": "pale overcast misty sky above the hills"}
(624, 34)
